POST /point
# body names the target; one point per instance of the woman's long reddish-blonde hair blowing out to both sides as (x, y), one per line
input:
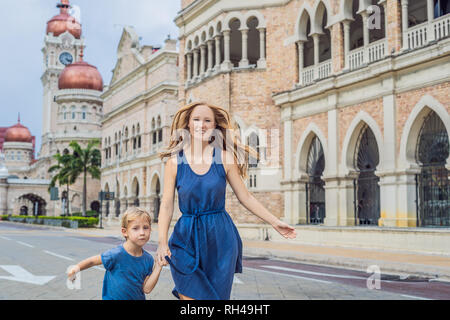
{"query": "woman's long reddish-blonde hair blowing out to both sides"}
(224, 136)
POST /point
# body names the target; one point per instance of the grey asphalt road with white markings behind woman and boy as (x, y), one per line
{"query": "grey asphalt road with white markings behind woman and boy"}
(34, 261)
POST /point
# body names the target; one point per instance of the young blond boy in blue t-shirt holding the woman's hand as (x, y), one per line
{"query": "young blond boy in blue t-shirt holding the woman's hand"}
(129, 274)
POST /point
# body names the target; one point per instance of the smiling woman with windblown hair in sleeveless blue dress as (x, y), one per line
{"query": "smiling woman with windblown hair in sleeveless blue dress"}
(205, 249)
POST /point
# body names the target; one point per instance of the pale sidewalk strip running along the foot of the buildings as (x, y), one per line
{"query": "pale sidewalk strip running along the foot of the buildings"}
(389, 262)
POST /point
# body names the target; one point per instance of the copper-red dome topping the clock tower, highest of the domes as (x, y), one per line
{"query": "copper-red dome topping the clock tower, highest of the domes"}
(64, 22)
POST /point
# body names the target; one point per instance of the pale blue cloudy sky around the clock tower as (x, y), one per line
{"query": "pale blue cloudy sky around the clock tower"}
(22, 31)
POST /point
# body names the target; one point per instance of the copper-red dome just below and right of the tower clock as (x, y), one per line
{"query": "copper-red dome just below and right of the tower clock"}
(80, 75)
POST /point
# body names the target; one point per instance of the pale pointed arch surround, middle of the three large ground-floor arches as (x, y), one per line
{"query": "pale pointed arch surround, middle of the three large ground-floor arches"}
(361, 120)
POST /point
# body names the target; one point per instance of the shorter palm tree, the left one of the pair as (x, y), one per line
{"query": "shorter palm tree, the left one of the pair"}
(65, 174)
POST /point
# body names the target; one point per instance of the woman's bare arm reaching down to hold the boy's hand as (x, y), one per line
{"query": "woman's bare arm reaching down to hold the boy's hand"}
(166, 210)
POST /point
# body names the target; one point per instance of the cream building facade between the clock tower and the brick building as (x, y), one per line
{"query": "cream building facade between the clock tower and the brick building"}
(139, 105)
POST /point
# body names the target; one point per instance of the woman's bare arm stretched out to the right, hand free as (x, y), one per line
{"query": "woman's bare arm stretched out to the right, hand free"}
(250, 202)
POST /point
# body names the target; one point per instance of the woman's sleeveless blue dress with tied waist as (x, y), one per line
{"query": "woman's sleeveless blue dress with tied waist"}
(205, 244)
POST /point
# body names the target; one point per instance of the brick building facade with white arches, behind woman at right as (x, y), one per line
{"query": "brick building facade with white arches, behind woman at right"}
(357, 93)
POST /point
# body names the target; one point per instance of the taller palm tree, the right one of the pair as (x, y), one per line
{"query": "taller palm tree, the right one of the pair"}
(86, 161)
